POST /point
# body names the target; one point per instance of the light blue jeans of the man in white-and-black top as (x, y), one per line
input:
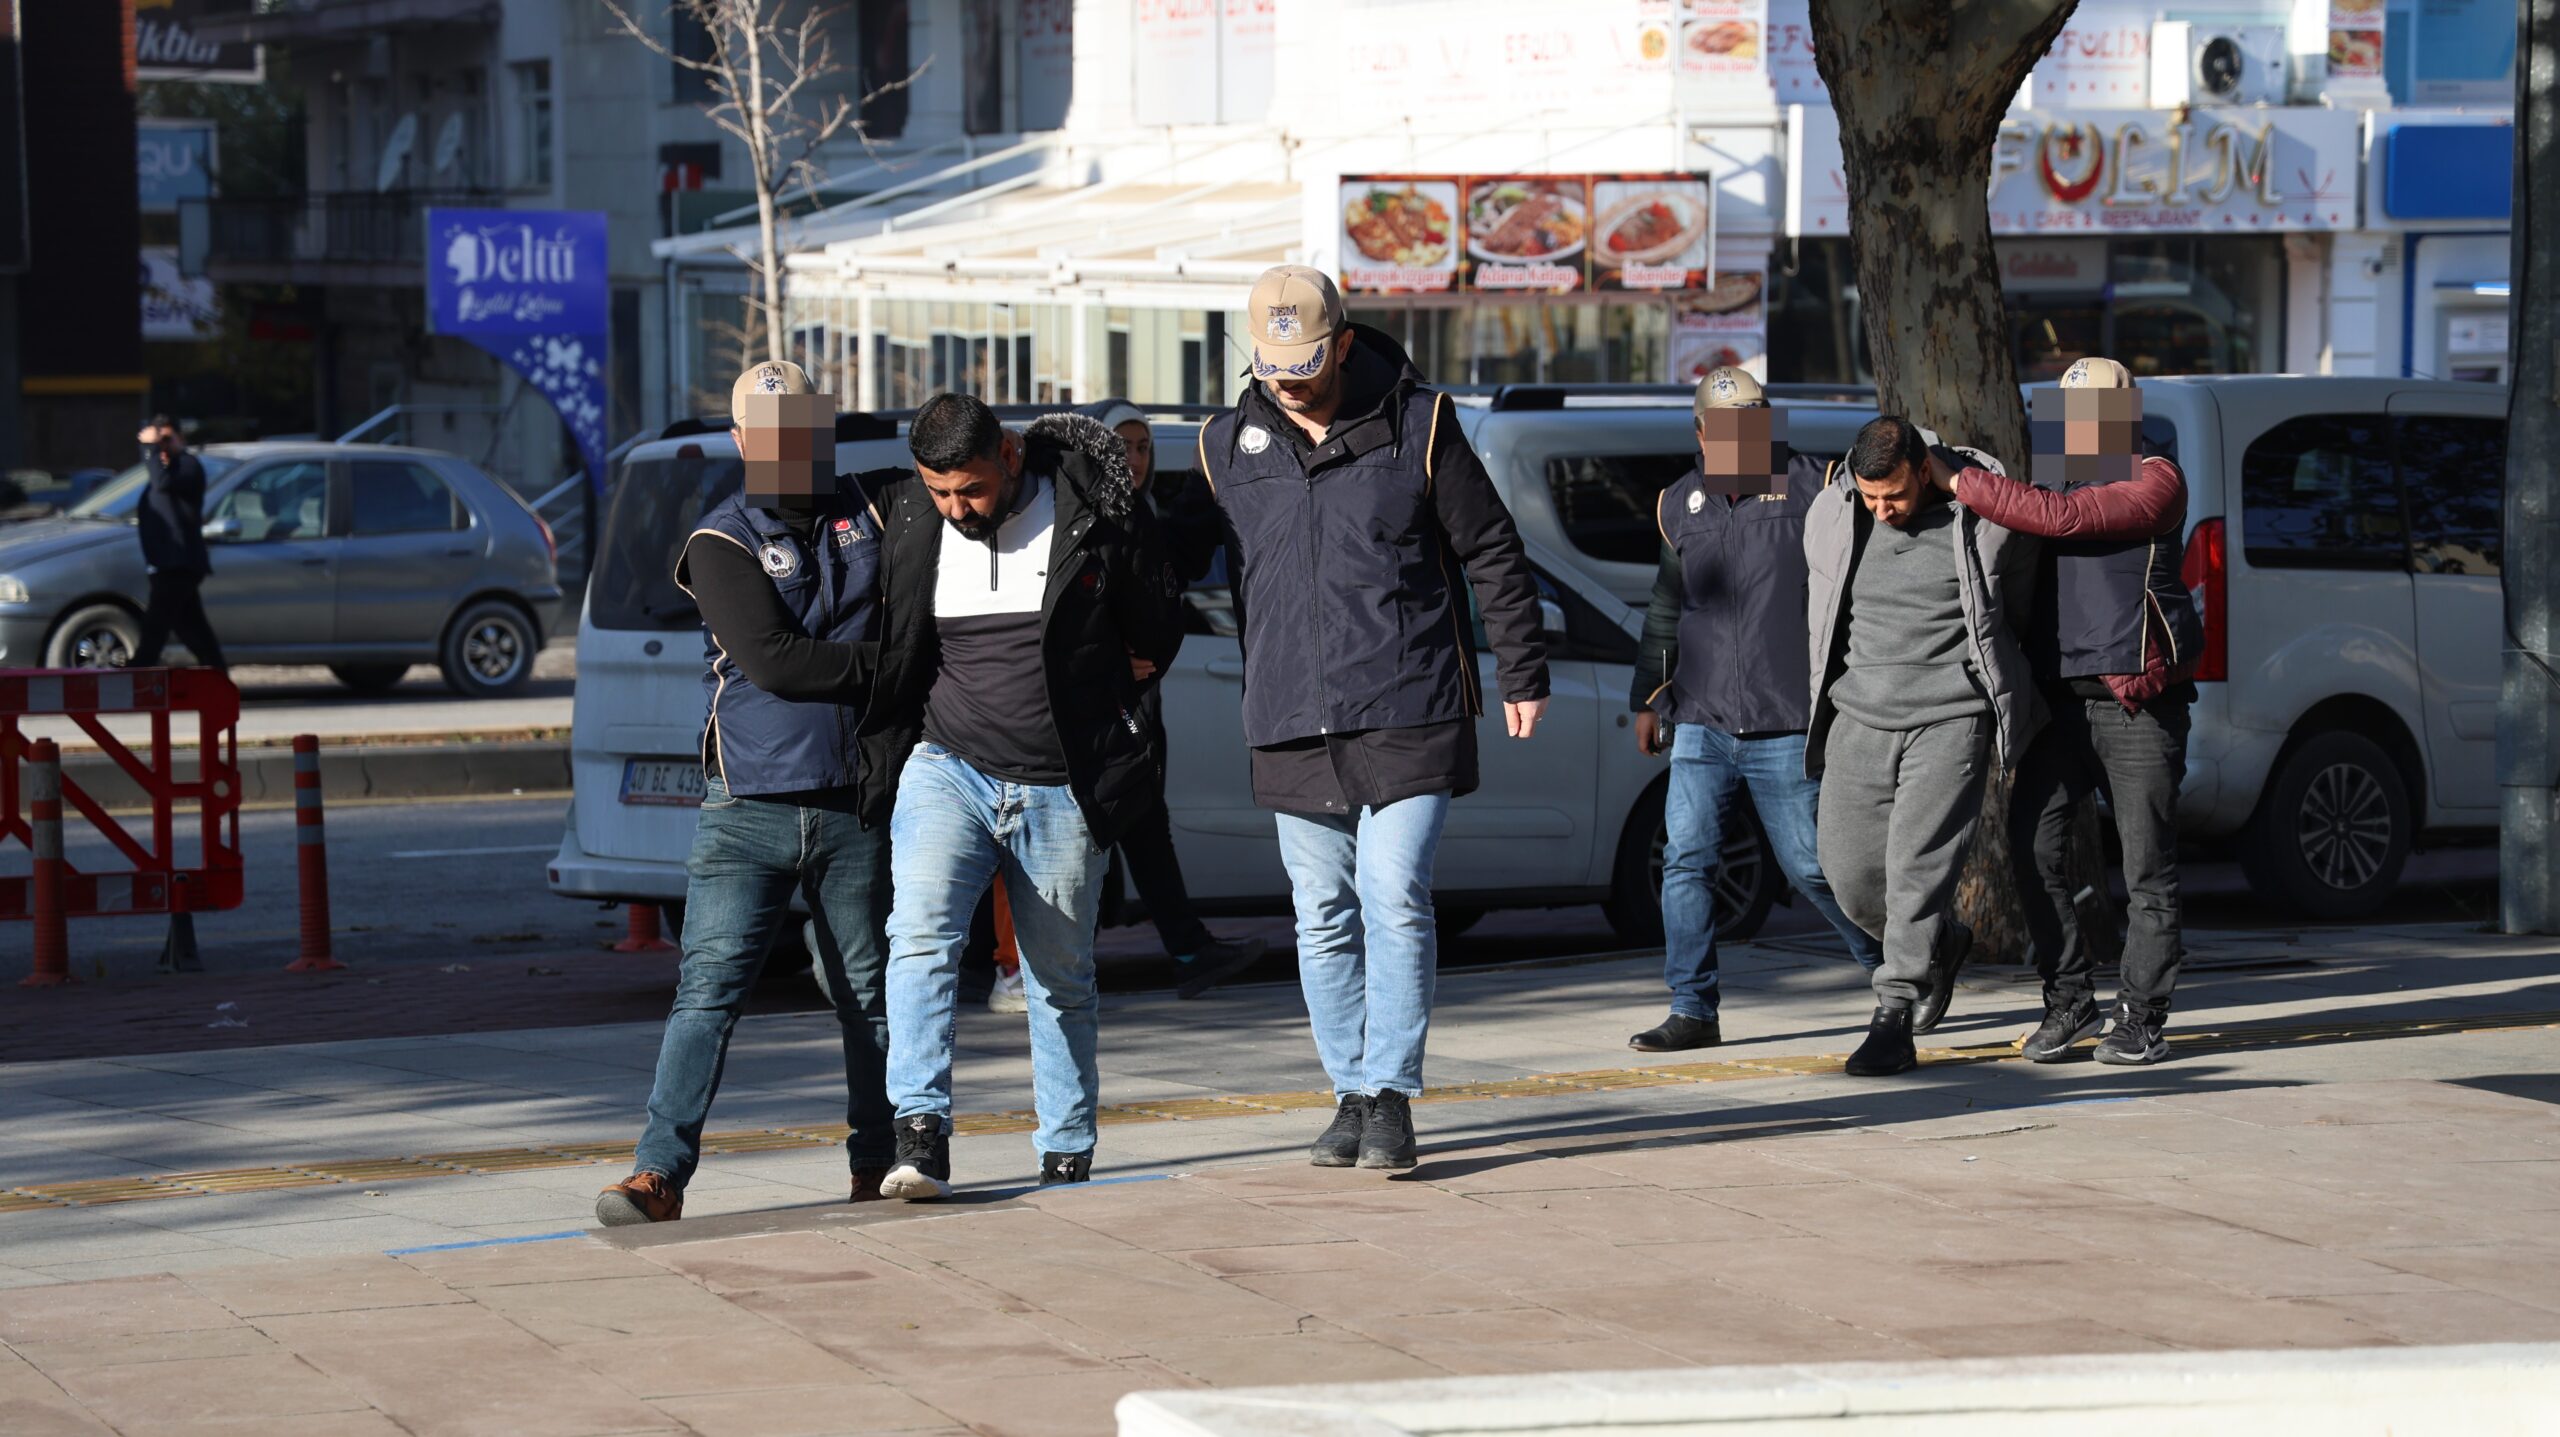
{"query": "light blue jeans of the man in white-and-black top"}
(948, 839)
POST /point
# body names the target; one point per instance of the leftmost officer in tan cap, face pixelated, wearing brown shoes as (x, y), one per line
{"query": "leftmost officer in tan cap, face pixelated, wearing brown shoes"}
(787, 578)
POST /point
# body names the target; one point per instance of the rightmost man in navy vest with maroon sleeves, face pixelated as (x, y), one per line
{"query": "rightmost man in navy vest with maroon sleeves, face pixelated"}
(2113, 644)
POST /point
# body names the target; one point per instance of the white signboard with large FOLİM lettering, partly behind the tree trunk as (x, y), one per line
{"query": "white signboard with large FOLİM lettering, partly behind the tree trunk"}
(2218, 173)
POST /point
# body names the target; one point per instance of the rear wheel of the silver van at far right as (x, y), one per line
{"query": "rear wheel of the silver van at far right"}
(2333, 829)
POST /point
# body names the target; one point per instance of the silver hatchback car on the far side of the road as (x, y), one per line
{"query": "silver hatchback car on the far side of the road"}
(360, 557)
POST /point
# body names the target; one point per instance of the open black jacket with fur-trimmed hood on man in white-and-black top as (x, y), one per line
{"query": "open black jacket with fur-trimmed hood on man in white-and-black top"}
(1105, 603)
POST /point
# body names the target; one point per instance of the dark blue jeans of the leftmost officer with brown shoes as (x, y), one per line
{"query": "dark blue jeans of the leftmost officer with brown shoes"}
(749, 859)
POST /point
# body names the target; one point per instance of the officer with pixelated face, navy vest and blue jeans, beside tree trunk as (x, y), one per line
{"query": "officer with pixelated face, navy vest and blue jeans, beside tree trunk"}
(1724, 670)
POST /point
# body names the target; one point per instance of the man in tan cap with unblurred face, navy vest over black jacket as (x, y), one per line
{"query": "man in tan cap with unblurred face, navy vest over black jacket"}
(1356, 506)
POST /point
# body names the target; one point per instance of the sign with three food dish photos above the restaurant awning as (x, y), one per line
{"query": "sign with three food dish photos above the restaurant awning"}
(1527, 234)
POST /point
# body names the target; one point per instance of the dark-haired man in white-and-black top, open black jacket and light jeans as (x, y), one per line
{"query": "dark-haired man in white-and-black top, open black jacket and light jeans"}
(1025, 611)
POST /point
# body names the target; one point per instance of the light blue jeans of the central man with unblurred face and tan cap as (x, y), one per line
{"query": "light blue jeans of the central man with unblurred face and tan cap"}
(1368, 944)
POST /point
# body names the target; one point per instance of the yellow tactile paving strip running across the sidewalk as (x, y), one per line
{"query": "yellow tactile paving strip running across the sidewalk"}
(99, 1192)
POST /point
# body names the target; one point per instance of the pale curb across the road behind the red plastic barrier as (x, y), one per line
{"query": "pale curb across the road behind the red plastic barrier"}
(357, 772)
